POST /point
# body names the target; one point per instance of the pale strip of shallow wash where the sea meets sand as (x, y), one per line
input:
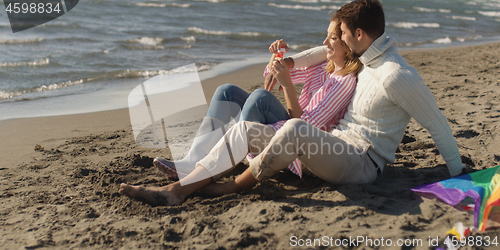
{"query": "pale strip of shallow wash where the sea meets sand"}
(118, 88)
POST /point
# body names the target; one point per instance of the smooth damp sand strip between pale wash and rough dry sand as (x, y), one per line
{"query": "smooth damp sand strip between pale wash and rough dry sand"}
(50, 130)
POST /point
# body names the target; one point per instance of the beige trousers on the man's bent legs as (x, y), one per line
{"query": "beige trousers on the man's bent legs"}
(334, 157)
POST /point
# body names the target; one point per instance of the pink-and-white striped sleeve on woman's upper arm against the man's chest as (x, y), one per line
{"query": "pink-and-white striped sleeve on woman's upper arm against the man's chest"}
(328, 102)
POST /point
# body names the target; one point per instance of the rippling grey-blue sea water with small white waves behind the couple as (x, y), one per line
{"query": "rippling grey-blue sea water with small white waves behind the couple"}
(91, 57)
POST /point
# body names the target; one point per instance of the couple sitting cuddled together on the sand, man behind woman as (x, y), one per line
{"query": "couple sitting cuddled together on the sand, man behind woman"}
(340, 131)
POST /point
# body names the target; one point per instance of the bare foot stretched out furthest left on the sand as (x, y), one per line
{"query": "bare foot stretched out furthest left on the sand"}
(152, 195)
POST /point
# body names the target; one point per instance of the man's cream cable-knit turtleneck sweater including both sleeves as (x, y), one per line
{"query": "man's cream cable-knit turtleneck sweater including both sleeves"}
(388, 94)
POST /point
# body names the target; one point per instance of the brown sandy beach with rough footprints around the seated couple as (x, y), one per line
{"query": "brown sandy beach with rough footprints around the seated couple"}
(60, 177)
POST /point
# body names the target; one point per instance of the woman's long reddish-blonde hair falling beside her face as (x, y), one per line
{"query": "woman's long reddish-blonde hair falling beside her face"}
(351, 63)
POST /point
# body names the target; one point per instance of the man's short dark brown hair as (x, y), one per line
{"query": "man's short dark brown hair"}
(367, 15)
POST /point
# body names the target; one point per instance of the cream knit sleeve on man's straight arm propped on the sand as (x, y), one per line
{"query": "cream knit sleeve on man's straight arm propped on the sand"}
(407, 89)
